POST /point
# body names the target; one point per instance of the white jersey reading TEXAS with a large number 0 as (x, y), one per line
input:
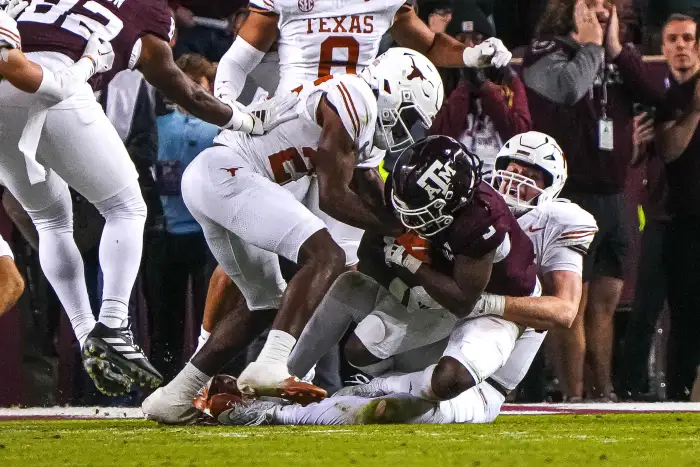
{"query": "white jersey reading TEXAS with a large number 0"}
(322, 37)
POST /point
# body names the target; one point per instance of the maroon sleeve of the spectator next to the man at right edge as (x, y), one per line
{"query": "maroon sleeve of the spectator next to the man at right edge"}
(639, 80)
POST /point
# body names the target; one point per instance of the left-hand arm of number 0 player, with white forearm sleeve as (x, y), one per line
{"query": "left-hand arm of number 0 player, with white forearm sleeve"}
(256, 36)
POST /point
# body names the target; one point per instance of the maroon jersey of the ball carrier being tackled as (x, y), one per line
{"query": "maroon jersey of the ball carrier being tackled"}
(480, 228)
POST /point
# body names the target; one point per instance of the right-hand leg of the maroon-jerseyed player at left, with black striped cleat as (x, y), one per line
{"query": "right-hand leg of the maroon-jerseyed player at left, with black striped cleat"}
(85, 150)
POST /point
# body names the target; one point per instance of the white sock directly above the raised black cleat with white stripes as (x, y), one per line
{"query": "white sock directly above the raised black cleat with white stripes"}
(121, 246)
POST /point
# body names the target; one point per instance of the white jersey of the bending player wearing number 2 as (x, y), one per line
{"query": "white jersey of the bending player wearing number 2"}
(287, 152)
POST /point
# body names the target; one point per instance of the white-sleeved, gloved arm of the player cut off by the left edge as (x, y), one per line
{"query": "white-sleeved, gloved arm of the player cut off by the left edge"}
(36, 79)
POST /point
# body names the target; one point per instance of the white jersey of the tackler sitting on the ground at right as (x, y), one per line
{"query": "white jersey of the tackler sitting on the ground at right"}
(561, 233)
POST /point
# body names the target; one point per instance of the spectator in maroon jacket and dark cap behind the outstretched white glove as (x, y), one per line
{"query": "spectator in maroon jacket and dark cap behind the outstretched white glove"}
(489, 105)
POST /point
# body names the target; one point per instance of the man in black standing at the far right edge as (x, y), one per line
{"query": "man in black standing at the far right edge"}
(679, 146)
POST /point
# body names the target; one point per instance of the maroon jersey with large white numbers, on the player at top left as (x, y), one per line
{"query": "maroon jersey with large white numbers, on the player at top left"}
(64, 26)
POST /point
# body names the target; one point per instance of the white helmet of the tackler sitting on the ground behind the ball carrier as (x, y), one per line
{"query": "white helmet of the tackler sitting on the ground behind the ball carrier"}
(533, 149)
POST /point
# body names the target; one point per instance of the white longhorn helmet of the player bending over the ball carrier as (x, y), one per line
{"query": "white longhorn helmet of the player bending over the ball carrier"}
(409, 91)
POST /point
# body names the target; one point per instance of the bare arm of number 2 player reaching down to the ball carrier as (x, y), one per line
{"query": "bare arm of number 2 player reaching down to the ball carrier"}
(335, 166)
